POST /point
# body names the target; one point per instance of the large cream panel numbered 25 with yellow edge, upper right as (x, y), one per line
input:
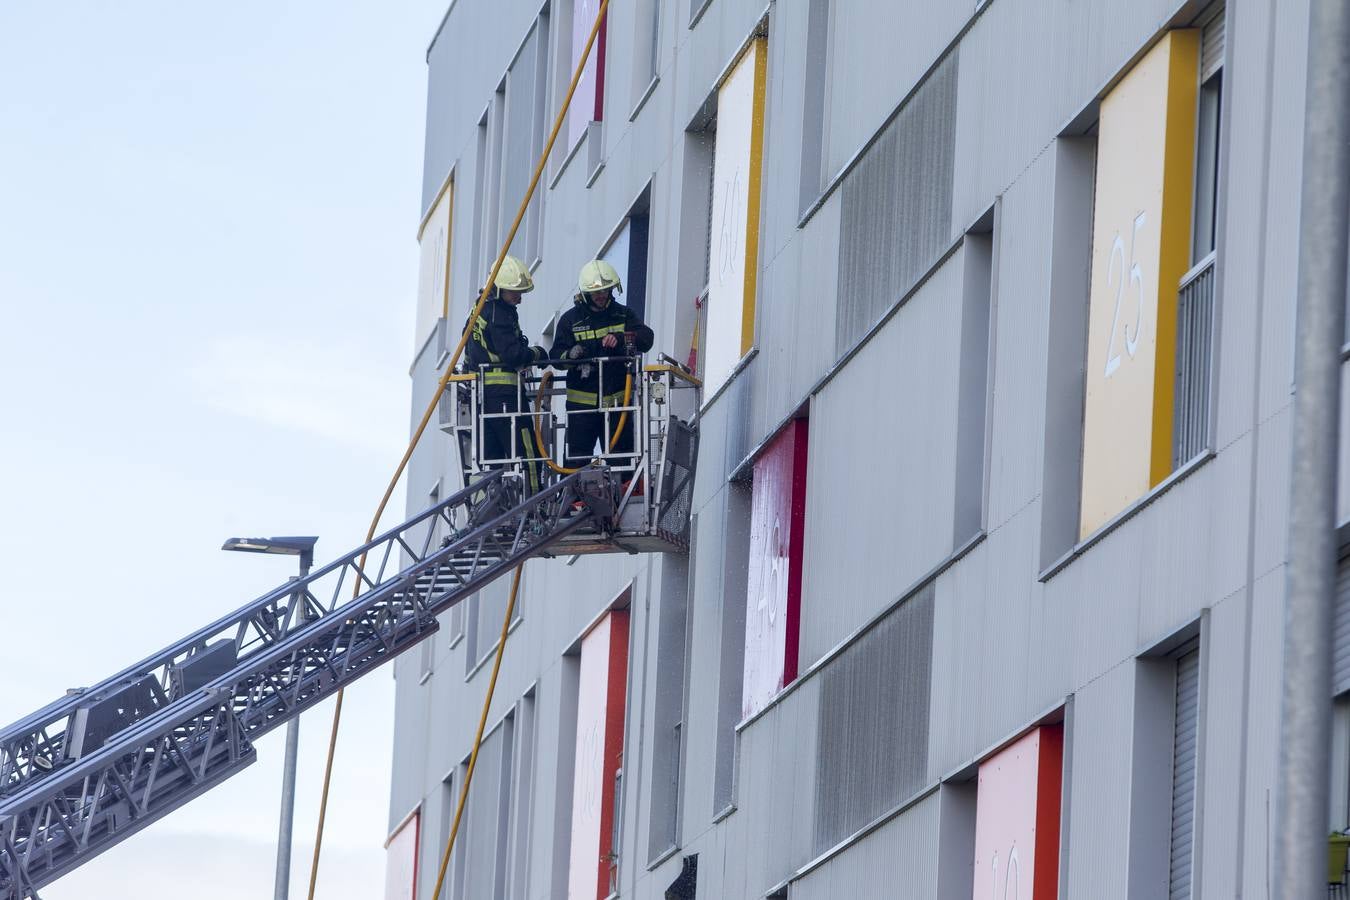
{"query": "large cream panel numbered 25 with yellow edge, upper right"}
(1140, 252)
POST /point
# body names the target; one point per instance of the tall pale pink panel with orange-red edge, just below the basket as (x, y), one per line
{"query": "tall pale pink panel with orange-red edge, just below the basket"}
(600, 747)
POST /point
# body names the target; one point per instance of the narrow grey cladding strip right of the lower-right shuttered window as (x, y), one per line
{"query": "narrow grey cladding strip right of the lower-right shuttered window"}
(1220, 772)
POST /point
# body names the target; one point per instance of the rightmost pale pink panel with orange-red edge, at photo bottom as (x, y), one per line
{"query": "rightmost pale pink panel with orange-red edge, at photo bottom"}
(1017, 820)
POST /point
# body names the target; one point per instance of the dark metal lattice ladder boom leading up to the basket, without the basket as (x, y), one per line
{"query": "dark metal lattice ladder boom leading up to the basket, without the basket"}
(188, 727)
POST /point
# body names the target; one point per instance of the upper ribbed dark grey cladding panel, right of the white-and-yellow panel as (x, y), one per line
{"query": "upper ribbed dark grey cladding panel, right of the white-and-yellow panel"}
(897, 207)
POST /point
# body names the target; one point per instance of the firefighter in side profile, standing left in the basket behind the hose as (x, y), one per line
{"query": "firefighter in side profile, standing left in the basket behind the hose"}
(497, 343)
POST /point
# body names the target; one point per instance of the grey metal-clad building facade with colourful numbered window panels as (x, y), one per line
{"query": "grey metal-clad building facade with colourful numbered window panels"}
(994, 308)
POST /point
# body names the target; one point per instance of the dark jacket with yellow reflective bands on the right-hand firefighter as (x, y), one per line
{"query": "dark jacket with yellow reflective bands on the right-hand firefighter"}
(587, 327)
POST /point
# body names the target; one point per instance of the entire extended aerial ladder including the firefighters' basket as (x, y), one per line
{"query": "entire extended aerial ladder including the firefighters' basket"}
(103, 763)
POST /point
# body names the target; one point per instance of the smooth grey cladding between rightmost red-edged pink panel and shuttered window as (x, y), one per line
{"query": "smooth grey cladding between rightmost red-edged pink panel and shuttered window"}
(1100, 797)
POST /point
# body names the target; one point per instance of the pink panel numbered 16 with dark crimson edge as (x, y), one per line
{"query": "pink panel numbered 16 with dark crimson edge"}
(774, 596)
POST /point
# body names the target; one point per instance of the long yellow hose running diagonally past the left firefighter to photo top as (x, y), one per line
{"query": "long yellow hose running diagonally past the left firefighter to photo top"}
(435, 403)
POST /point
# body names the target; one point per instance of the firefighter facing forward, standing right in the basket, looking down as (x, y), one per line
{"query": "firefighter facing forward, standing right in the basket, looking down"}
(597, 326)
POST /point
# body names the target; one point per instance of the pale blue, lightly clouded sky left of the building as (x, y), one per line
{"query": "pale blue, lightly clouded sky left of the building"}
(207, 280)
